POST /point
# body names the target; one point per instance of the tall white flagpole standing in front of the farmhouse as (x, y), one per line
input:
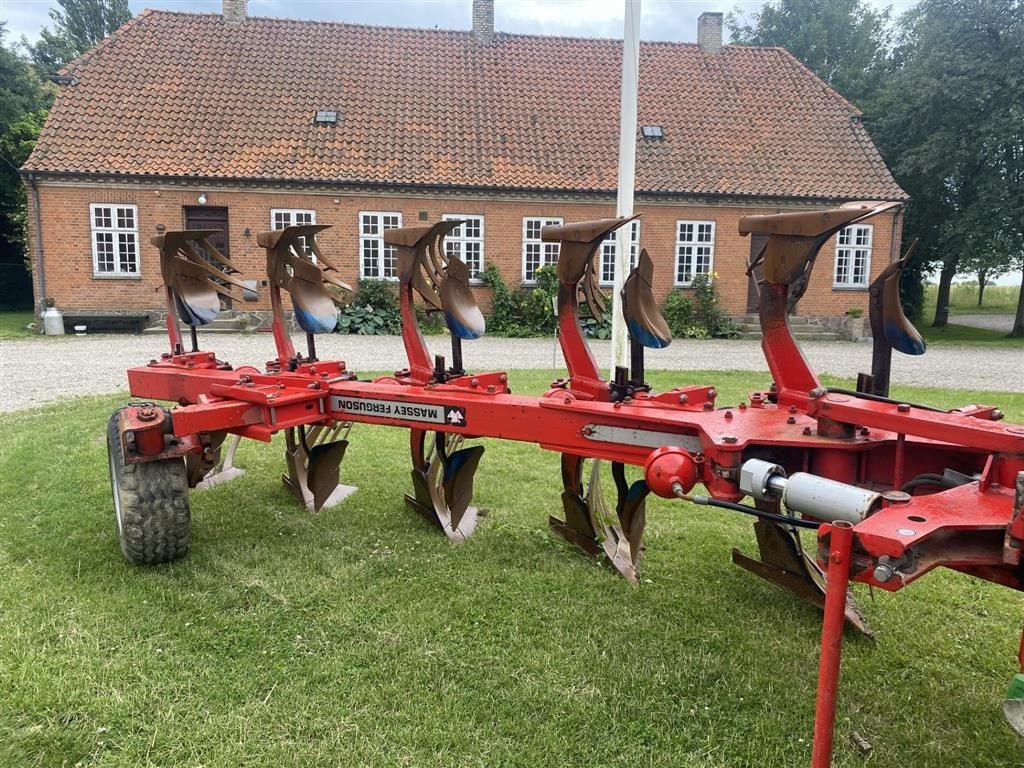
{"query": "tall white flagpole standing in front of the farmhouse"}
(627, 175)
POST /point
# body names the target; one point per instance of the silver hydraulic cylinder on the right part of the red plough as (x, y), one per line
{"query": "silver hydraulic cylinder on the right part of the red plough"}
(809, 495)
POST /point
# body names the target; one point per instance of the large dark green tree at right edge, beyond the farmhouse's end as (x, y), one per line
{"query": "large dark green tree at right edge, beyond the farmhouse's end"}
(951, 124)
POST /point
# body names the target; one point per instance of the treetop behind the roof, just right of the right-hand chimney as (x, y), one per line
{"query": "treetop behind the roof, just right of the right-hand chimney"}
(844, 42)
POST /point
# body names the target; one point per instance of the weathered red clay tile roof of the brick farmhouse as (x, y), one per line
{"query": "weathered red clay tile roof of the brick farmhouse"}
(185, 95)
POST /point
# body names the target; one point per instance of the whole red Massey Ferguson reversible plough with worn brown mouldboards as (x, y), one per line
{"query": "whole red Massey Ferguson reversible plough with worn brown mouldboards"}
(892, 490)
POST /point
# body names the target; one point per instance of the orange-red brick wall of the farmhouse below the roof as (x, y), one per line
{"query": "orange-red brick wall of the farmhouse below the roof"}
(70, 280)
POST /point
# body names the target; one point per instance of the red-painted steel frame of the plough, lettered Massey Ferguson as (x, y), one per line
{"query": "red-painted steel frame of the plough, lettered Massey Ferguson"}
(878, 445)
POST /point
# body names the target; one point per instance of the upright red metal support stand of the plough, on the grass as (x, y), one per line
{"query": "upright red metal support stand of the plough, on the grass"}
(840, 552)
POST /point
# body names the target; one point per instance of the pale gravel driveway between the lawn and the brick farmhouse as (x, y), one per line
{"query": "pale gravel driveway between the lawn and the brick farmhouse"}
(38, 371)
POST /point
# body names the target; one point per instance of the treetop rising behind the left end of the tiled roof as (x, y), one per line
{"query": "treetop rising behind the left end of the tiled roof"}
(78, 25)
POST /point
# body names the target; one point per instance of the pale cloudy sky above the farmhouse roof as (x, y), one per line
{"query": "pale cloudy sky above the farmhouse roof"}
(662, 20)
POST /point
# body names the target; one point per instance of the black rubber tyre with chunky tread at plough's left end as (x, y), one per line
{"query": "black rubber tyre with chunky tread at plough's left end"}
(151, 504)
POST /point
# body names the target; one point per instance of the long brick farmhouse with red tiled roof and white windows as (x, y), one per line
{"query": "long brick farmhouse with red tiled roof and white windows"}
(244, 124)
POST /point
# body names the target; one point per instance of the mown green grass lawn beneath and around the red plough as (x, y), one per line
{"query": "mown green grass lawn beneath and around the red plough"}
(362, 637)
